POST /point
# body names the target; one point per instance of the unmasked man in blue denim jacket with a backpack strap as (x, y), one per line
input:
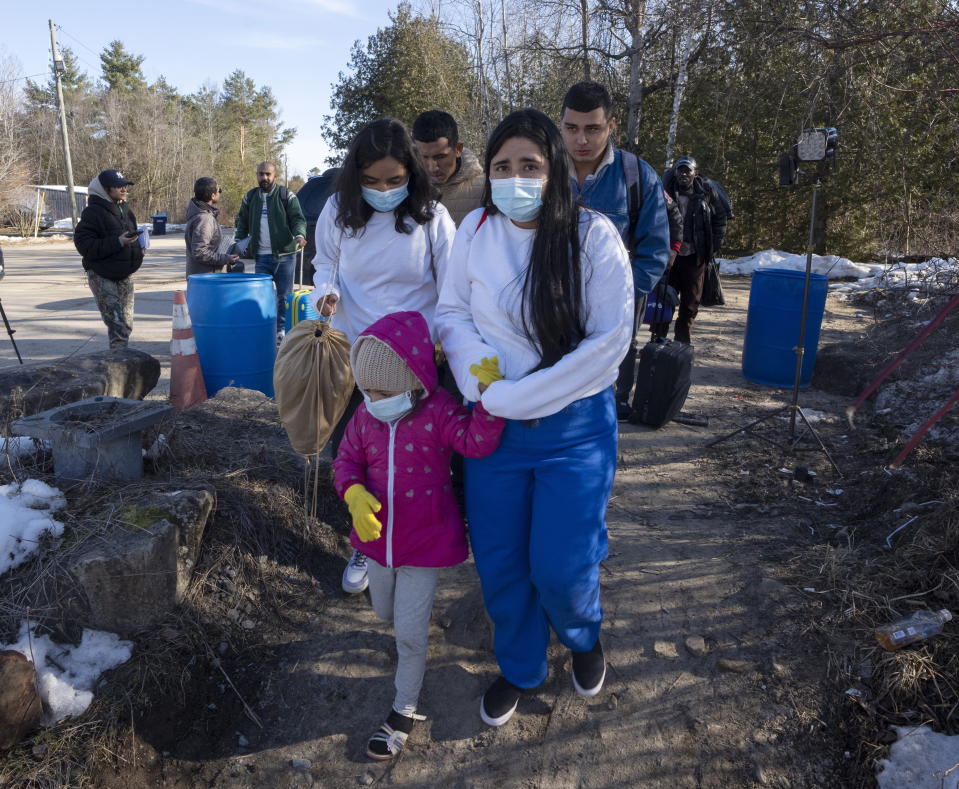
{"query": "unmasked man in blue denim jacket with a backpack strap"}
(625, 188)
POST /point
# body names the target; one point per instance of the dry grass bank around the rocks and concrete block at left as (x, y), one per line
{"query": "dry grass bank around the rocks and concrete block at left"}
(261, 558)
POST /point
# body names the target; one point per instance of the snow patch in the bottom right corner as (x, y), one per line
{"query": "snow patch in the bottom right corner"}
(920, 759)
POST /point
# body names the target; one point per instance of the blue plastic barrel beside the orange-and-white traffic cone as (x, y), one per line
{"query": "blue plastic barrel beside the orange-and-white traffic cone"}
(234, 322)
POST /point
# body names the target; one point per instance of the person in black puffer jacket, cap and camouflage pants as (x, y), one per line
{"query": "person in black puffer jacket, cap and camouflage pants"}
(106, 236)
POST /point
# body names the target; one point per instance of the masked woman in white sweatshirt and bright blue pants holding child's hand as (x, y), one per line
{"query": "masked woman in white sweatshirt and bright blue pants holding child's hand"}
(544, 287)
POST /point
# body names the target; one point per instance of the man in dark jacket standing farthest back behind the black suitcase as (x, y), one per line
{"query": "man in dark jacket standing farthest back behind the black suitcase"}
(706, 209)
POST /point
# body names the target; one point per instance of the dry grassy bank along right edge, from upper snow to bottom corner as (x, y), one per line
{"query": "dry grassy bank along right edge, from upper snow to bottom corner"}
(861, 583)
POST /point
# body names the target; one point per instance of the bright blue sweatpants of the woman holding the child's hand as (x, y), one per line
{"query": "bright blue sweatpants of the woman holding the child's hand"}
(537, 519)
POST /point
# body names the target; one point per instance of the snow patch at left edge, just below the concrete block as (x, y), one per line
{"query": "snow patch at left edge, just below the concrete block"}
(25, 516)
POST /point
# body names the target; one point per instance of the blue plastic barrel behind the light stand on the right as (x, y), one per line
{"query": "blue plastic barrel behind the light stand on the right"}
(772, 326)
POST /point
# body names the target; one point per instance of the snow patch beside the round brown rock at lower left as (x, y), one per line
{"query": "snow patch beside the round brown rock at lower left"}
(66, 674)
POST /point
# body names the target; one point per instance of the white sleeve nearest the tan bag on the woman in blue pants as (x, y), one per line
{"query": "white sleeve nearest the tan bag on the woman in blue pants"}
(458, 334)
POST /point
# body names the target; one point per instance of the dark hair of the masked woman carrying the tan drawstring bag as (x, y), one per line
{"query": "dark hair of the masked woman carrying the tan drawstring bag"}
(375, 141)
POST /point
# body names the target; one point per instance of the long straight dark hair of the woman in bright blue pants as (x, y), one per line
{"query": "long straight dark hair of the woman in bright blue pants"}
(552, 307)
